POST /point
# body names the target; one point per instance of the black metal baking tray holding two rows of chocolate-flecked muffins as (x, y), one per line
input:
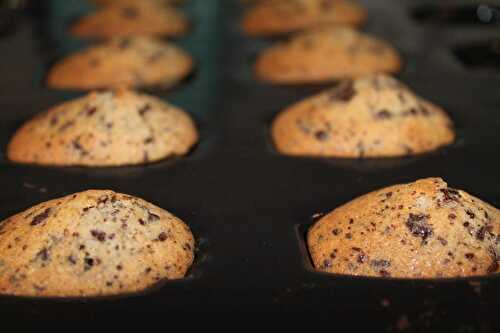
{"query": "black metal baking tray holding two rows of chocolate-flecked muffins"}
(248, 206)
